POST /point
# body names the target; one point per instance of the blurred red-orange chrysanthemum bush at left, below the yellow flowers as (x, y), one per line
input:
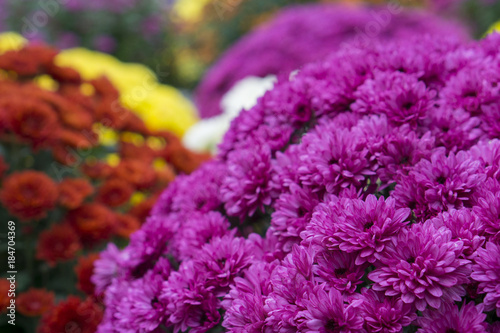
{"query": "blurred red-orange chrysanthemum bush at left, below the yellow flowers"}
(71, 186)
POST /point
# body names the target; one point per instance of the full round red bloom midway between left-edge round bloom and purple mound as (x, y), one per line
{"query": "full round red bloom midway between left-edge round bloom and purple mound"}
(92, 222)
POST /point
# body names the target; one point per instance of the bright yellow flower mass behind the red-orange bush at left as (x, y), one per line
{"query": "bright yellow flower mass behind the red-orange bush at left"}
(160, 106)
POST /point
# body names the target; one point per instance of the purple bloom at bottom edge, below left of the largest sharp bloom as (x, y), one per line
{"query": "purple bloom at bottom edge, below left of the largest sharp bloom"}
(384, 314)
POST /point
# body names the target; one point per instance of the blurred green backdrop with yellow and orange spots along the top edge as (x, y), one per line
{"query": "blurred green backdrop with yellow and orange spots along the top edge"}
(182, 37)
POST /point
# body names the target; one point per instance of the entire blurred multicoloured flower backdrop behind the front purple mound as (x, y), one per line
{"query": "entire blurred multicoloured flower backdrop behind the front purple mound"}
(104, 103)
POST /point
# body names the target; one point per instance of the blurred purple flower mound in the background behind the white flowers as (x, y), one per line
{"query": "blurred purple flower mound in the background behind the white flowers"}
(306, 33)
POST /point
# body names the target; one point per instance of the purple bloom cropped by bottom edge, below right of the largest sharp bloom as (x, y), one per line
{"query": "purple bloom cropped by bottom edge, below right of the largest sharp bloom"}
(448, 318)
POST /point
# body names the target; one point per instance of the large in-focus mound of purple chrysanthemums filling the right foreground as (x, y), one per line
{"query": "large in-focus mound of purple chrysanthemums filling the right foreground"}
(361, 194)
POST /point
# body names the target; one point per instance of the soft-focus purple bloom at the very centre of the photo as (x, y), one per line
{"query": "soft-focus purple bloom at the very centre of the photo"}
(246, 186)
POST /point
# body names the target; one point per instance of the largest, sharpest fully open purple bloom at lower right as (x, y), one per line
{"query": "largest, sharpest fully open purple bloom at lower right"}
(423, 267)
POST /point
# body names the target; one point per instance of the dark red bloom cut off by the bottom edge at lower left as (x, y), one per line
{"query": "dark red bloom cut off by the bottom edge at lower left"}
(72, 315)
